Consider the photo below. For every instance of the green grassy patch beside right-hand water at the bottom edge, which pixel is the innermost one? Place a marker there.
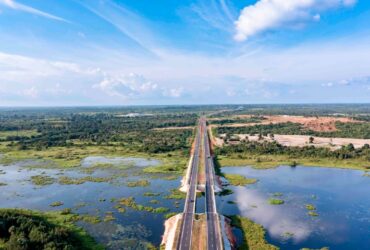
(253, 234)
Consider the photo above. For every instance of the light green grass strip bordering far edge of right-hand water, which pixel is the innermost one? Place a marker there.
(272, 161)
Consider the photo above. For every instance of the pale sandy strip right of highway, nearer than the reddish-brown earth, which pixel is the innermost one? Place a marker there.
(303, 140)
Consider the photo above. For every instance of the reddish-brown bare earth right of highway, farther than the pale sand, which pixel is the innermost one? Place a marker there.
(320, 124)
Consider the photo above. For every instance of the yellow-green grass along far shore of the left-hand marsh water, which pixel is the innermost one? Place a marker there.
(70, 157)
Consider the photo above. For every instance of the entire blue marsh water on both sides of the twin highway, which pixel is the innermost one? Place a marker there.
(340, 197)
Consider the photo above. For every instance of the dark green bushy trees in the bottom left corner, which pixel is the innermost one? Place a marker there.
(28, 230)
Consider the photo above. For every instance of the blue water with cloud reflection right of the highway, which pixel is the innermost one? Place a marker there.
(340, 196)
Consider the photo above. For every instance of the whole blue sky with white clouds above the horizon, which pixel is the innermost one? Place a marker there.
(130, 52)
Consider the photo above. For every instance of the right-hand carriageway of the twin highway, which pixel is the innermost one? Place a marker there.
(214, 238)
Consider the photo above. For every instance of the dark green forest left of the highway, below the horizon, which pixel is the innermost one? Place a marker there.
(136, 133)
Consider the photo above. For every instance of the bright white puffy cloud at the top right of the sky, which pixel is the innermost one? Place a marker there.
(270, 14)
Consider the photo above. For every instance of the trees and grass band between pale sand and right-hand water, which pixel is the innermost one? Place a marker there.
(271, 154)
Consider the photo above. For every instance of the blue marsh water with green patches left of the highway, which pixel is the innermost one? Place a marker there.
(130, 230)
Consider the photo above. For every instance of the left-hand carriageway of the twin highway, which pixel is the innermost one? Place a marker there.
(184, 242)
